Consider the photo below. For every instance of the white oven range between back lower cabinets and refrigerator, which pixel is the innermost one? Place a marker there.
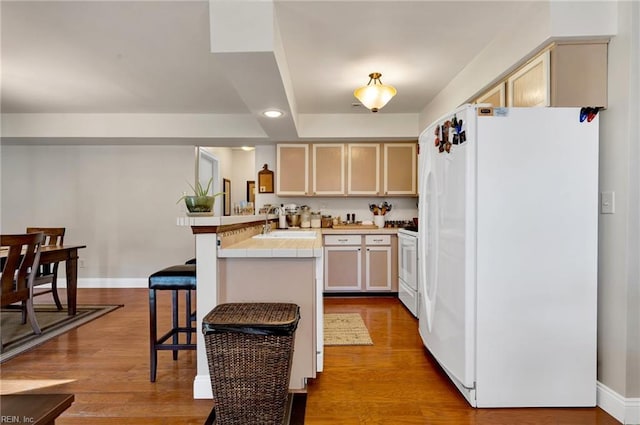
(408, 269)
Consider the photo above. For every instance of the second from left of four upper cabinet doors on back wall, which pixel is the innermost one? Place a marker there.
(328, 169)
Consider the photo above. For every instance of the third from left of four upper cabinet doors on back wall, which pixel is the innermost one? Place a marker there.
(363, 169)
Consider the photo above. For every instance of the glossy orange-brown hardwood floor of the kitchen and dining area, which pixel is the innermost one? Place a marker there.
(395, 381)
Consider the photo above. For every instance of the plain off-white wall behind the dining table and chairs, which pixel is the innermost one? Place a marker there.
(120, 201)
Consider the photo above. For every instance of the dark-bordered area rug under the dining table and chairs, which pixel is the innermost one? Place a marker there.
(18, 338)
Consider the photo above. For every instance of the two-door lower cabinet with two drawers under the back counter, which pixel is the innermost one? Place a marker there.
(360, 263)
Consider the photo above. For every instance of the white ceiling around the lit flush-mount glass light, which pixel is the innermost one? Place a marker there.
(156, 57)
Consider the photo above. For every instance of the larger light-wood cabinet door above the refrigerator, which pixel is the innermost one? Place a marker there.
(530, 86)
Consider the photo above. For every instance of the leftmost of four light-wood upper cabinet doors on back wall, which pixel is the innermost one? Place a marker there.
(292, 170)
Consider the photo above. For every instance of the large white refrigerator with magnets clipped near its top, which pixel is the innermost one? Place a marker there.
(508, 233)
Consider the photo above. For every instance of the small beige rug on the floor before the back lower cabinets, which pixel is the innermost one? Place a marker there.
(345, 329)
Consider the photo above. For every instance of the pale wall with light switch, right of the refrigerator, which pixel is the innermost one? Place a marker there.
(619, 234)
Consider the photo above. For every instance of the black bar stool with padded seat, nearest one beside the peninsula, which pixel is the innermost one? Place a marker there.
(174, 278)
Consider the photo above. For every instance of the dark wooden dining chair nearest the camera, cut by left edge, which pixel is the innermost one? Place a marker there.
(21, 261)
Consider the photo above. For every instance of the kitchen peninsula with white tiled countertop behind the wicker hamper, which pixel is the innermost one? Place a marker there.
(233, 266)
